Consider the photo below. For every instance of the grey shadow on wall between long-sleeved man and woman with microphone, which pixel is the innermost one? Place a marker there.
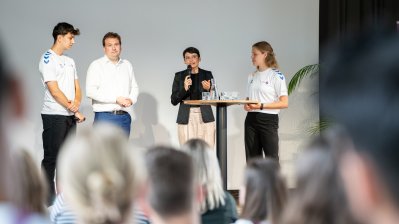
(146, 129)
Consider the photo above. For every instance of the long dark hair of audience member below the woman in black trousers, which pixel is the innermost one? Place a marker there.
(266, 192)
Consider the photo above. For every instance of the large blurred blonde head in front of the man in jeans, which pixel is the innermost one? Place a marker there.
(98, 175)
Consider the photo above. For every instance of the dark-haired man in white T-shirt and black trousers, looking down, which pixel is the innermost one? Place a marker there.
(62, 97)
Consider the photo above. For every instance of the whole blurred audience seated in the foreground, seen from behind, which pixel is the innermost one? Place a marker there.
(346, 175)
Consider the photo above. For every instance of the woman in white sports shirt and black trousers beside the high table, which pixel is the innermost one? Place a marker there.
(267, 86)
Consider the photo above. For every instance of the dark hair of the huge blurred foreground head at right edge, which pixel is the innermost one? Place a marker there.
(359, 89)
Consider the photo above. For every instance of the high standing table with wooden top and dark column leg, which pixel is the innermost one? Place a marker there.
(221, 128)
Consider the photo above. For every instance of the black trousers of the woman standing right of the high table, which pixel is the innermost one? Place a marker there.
(261, 133)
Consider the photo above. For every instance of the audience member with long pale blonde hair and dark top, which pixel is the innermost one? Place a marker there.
(218, 205)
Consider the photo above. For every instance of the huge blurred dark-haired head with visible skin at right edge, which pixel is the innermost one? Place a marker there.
(360, 91)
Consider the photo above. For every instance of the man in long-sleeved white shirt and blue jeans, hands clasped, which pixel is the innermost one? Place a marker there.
(111, 85)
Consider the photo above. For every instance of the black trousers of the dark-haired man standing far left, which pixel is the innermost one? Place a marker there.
(55, 129)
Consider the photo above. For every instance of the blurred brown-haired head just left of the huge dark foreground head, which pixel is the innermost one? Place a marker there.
(319, 196)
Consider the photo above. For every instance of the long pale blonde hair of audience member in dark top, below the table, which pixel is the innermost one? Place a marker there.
(207, 173)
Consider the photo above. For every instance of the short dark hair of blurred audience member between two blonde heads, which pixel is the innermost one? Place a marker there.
(171, 181)
